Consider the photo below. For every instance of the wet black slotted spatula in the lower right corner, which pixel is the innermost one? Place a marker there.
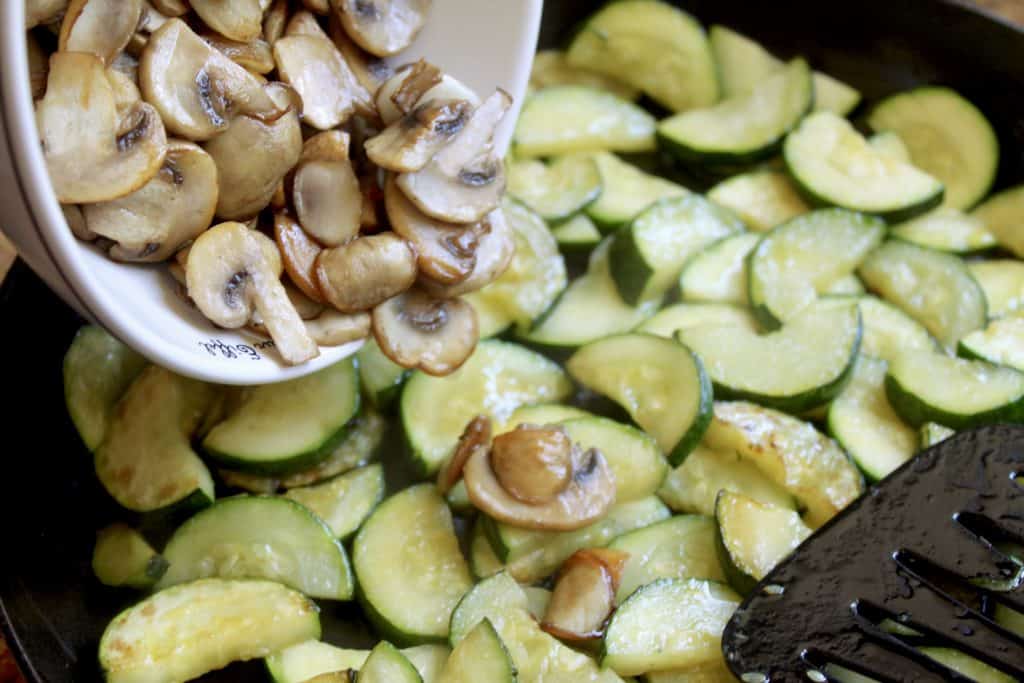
(924, 549)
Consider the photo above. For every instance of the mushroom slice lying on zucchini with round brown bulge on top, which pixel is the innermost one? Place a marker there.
(535, 478)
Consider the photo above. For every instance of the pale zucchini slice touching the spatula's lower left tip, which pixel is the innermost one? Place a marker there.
(670, 624)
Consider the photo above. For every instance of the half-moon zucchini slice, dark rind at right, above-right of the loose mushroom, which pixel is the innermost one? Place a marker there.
(661, 385)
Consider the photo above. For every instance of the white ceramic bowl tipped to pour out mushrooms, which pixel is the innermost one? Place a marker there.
(485, 44)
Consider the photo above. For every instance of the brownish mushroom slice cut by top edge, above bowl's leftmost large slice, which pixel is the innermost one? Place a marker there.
(101, 27)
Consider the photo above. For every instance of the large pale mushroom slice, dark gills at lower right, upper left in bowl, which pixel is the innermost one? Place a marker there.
(197, 90)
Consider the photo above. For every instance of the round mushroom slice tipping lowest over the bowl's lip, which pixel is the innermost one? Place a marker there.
(416, 330)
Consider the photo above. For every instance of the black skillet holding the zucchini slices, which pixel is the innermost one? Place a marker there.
(52, 609)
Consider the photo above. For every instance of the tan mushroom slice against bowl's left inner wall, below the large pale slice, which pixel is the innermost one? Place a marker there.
(170, 211)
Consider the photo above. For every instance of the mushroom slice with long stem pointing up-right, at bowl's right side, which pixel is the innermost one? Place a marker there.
(465, 181)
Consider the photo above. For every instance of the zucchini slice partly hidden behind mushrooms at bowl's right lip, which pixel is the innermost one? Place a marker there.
(533, 282)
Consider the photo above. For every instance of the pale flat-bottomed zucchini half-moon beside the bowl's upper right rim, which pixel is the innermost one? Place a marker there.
(569, 119)
